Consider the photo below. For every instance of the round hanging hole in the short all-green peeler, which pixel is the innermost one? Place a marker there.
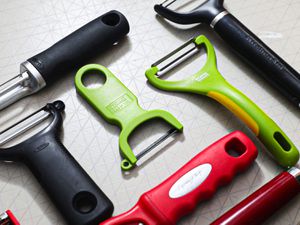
(93, 79)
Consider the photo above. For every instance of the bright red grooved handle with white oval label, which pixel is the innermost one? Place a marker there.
(200, 177)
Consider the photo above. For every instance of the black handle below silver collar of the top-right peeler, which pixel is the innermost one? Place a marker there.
(270, 65)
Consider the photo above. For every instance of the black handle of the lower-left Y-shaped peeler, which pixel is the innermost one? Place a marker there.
(73, 192)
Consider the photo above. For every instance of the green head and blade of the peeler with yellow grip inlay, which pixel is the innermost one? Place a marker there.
(201, 83)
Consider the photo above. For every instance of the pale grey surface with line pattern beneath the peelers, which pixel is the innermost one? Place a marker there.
(29, 26)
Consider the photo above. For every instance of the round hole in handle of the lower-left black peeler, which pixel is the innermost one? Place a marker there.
(84, 202)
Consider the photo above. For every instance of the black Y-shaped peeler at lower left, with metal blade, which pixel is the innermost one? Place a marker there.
(73, 192)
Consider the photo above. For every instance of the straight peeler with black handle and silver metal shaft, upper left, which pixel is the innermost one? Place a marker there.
(65, 56)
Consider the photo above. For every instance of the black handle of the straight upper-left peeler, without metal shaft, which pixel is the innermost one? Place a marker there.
(70, 53)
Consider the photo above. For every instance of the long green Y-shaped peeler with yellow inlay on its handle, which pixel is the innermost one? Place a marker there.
(208, 81)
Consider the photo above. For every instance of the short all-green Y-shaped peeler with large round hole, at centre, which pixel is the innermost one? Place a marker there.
(118, 105)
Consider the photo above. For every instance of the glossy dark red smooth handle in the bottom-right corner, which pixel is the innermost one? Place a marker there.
(263, 203)
